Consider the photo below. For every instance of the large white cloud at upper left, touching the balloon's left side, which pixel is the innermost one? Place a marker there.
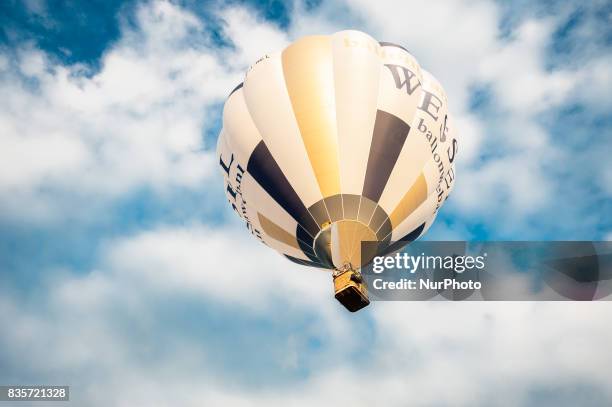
(79, 135)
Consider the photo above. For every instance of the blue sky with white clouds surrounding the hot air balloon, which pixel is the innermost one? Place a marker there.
(124, 273)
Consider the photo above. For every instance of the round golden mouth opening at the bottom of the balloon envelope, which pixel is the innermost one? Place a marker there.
(338, 244)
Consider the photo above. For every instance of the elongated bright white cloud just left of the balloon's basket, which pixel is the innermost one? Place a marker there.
(202, 261)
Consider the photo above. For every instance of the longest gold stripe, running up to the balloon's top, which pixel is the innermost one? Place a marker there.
(309, 77)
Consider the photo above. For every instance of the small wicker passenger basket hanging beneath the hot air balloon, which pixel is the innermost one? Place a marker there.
(350, 289)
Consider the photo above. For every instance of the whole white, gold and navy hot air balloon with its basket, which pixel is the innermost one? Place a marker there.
(335, 141)
